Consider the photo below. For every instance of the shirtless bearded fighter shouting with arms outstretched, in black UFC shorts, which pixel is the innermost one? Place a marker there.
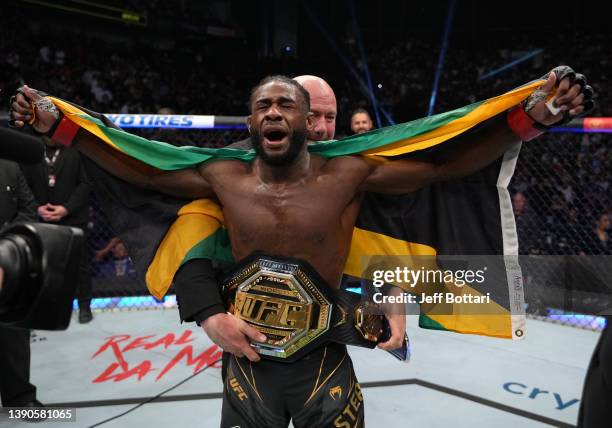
(290, 203)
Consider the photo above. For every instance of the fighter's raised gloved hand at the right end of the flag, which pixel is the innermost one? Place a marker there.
(572, 96)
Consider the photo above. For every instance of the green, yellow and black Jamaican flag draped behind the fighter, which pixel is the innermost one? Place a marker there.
(468, 216)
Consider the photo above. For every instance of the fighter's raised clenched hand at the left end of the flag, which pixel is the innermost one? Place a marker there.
(22, 111)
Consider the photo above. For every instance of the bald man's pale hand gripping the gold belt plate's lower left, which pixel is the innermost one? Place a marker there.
(233, 335)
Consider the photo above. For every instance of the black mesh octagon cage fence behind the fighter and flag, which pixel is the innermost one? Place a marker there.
(561, 198)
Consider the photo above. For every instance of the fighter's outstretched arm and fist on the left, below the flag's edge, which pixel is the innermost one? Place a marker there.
(185, 183)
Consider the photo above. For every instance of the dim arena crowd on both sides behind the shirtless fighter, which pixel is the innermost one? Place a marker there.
(561, 189)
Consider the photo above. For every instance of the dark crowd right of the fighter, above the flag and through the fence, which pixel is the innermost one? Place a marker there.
(561, 190)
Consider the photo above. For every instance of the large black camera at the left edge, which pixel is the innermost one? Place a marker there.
(40, 264)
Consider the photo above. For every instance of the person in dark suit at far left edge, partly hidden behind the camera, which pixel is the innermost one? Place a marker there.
(16, 204)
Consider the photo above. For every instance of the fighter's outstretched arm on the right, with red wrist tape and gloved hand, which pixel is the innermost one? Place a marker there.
(477, 149)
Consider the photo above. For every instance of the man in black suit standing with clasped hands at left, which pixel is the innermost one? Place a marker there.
(62, 191)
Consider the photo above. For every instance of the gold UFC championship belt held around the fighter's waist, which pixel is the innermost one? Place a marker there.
(288, 301)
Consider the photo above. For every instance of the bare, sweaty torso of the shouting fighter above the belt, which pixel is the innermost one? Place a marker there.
(311, 219)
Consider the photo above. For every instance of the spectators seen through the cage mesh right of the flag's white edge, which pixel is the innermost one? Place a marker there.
(562, 196)
